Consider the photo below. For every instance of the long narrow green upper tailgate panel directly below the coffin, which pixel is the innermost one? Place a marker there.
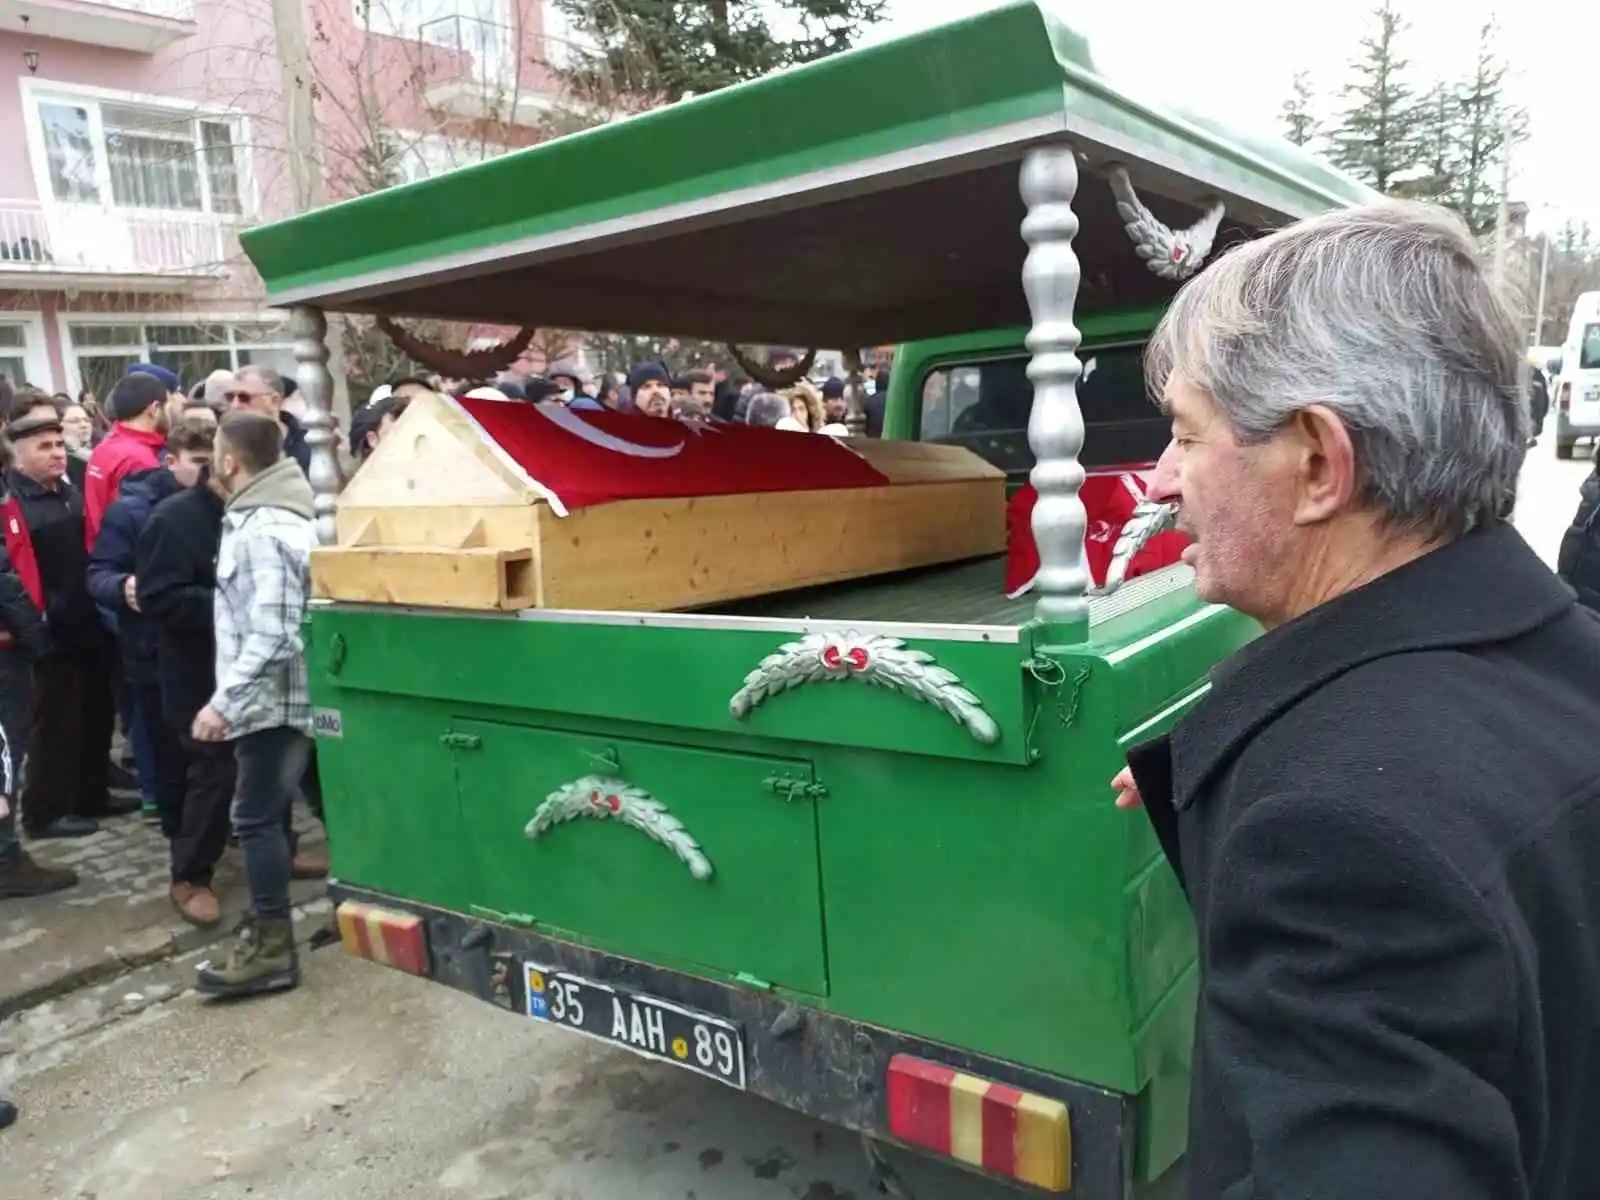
(662, 676)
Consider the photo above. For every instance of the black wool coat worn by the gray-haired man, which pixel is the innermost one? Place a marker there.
(1386, 817)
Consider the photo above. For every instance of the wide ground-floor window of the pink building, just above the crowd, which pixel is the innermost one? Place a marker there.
(105, 350)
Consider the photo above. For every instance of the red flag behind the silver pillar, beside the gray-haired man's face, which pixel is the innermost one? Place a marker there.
(1110, 497)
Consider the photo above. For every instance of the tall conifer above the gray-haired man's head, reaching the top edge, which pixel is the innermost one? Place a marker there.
(1375, 138)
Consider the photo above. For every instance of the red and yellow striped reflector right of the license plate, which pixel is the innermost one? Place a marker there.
(980, 1122)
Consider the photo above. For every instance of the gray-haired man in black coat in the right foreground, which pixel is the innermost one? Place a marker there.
(1386, 810)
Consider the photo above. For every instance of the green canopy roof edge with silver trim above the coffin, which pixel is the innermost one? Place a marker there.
(980, 74)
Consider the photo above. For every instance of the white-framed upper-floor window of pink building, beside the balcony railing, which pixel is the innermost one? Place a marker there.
(140, 158)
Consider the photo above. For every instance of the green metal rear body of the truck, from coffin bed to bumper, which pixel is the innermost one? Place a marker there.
(1004, 908)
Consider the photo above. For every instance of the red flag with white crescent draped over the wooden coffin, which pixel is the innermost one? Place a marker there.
(585, 458)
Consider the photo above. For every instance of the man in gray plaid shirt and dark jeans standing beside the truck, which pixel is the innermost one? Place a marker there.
(262, 703)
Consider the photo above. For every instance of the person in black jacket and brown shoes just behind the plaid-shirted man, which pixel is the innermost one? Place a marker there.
(175, 572)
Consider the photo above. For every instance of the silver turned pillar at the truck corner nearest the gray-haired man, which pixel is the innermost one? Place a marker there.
(1055, 430)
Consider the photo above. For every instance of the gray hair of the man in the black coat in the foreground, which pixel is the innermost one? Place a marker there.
(1385, 316)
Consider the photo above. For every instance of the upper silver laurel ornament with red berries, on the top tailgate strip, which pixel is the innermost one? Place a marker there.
(882, 662)
